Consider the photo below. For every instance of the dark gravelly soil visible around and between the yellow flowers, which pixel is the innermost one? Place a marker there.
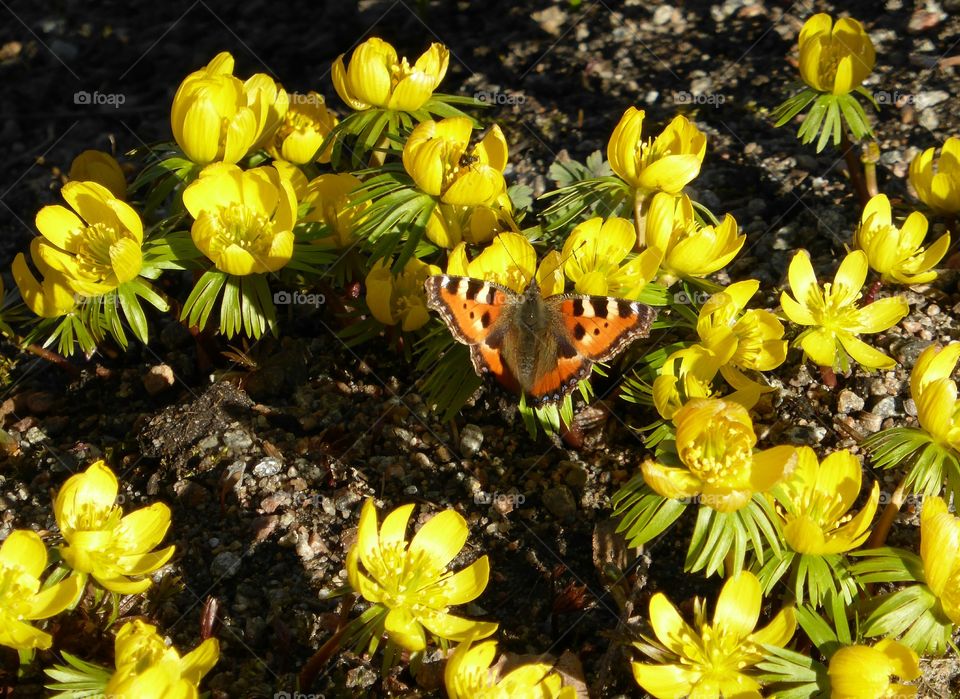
(265, 469)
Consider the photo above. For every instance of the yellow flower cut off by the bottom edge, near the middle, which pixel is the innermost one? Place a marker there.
(468, 675)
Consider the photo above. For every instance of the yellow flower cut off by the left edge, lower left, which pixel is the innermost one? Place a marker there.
(22, 560)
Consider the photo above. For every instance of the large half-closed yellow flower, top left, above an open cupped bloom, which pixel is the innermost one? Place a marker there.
(217, 117)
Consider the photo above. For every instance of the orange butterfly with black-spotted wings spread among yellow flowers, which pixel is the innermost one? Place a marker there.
(539, 345)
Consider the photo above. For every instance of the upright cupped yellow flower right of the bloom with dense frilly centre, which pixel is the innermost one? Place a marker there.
(815, 502)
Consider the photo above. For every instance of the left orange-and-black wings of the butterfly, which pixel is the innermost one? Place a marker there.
(471, 308)
